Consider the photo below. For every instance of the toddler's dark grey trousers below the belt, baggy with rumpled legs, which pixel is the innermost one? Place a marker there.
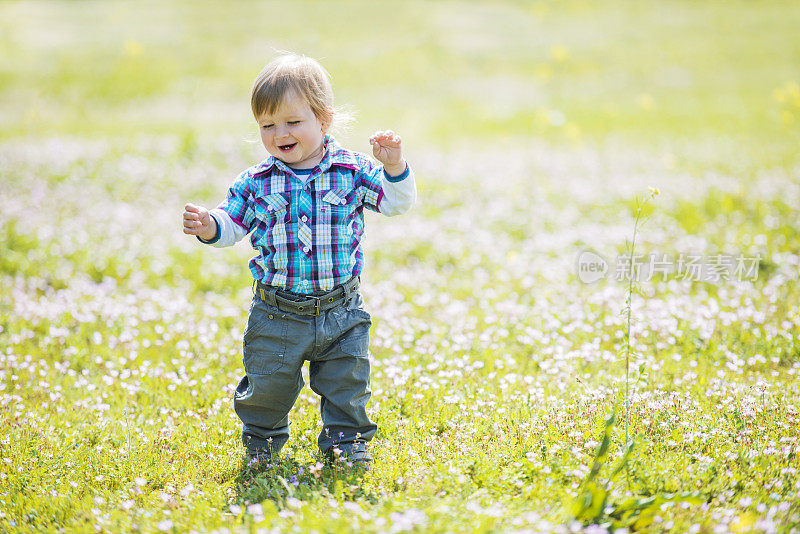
(276, 343)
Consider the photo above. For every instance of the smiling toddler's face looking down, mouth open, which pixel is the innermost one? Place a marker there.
(293, 134)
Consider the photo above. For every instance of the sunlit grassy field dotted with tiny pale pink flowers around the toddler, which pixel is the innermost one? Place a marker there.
(535, 130)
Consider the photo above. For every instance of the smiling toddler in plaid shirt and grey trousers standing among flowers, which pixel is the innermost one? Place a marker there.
(303, 208)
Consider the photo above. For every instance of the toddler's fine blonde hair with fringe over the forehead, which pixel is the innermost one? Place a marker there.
(293, 72)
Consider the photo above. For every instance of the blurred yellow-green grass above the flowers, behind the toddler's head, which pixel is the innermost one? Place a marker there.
(440, 71)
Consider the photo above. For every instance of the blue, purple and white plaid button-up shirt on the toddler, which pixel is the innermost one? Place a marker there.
(307, 234)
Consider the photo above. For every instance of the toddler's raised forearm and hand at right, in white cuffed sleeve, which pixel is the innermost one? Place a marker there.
(392, 189)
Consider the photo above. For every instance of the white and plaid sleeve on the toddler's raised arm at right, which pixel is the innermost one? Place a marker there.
(385, 194)
